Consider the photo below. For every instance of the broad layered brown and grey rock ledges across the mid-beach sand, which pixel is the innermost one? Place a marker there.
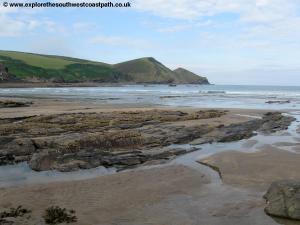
(68, 142)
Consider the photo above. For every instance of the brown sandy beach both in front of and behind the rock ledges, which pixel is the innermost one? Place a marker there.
(168, 193)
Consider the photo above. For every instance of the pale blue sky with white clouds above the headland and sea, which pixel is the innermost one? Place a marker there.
(228, 41)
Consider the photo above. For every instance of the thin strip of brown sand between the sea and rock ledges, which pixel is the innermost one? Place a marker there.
(50, 106)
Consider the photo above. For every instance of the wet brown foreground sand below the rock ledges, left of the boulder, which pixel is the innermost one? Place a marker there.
(172, 195)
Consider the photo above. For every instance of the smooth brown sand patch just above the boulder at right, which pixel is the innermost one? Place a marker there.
(256, 170)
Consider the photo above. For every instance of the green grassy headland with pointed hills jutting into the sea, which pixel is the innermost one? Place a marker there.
(36, 68)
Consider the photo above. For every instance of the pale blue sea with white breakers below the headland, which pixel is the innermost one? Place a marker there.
(204, 96)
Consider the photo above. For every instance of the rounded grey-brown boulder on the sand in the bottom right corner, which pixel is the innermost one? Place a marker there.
(283, 199)
